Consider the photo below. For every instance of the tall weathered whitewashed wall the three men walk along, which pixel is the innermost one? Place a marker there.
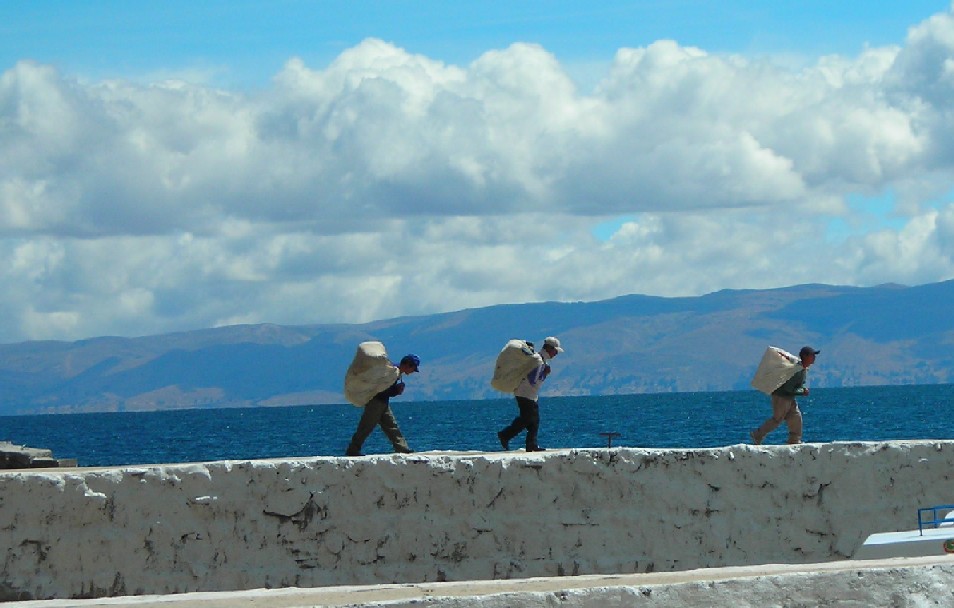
(330, 521)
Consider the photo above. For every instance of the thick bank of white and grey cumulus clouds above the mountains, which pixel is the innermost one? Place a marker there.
(388, 183)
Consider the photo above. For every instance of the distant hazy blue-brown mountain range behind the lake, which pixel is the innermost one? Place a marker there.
(888, 334)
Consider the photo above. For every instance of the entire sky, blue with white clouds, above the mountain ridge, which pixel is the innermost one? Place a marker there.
(168, 166)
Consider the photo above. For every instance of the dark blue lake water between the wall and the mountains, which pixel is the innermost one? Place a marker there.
(657, 420)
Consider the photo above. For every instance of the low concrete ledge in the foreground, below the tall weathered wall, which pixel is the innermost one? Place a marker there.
(920, 581)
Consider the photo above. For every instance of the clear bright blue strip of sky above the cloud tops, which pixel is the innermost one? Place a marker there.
(245, 42)
